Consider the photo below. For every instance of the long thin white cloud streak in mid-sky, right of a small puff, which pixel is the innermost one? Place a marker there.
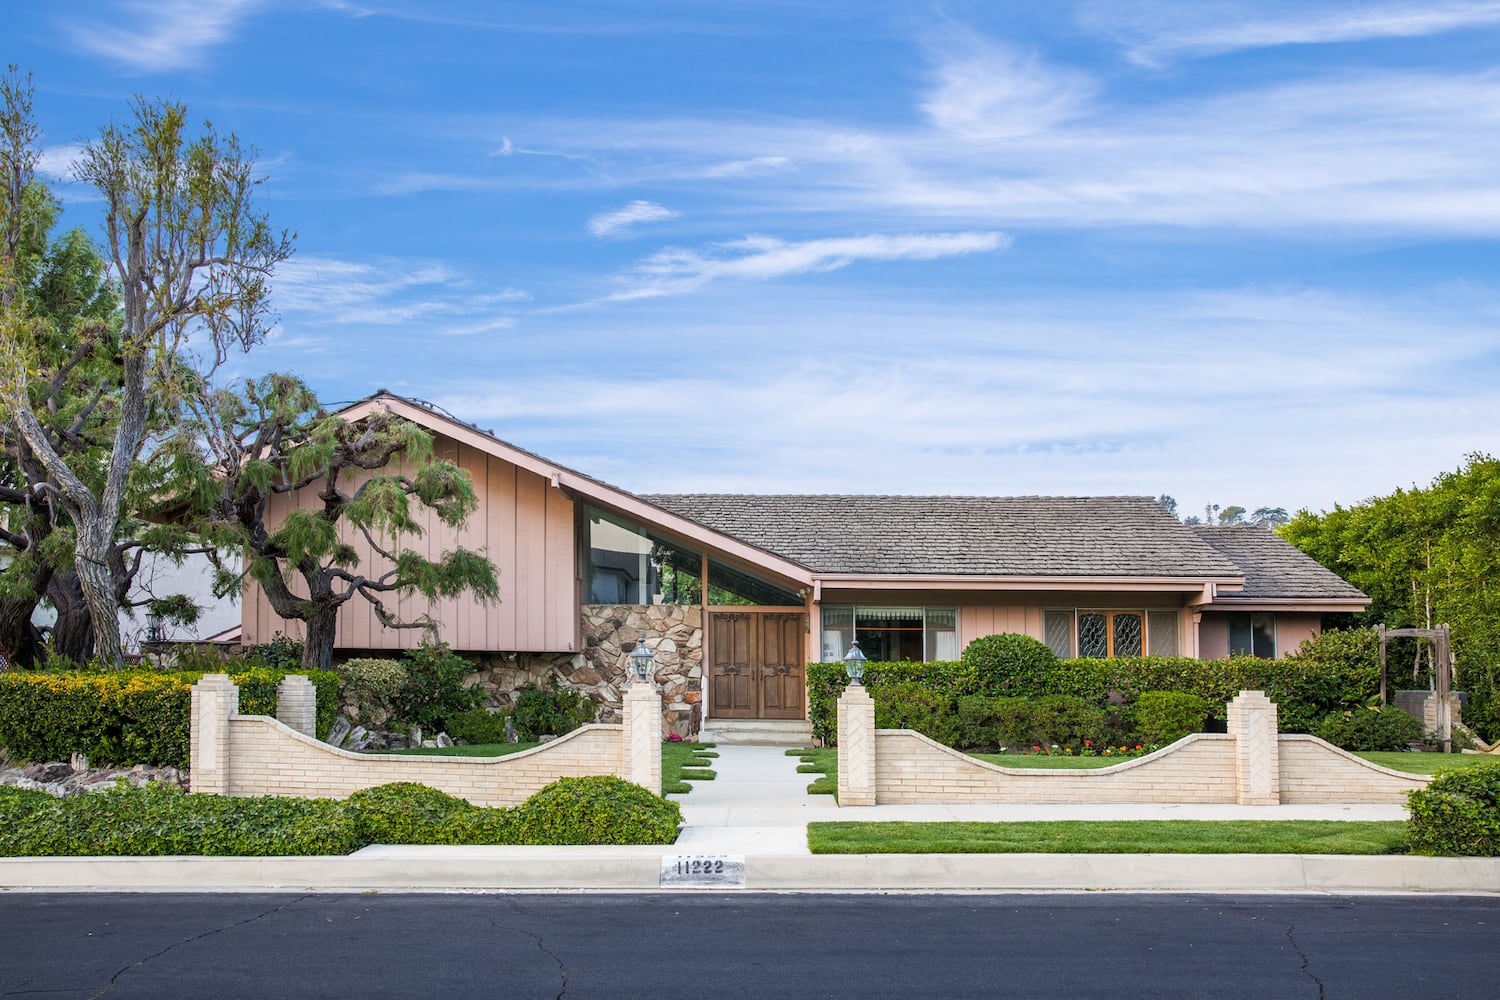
(757, 259)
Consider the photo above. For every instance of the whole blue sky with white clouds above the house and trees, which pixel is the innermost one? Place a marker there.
(1235, 253)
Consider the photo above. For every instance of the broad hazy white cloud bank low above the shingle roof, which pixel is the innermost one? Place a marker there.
(1291, 397)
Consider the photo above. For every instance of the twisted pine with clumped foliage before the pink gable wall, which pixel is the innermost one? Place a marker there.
(272, 439)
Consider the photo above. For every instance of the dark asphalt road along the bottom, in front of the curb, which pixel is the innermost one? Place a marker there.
(746, 945)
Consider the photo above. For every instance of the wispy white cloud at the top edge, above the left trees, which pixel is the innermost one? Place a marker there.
(160, 35)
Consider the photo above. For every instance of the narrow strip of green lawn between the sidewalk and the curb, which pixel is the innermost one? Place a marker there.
(1112, 837)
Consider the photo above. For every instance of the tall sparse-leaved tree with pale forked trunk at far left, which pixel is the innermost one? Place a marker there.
(191, 257)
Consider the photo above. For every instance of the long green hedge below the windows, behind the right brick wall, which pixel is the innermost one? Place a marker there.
(1331, 674)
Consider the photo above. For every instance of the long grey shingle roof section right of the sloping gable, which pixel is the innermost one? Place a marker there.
(961, 536)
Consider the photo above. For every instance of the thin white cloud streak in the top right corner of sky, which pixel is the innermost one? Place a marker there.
(1208, 31)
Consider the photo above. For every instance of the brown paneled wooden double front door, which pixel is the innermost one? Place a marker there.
(757, 665)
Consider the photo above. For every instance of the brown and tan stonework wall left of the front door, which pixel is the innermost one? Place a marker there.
(674, 635)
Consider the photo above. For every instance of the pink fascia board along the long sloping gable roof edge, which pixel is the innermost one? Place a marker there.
(571, 482)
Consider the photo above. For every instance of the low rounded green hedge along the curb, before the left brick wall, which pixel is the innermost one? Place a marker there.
(160, 819)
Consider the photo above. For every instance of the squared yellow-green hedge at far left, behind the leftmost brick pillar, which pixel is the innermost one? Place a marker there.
(128, 717)
